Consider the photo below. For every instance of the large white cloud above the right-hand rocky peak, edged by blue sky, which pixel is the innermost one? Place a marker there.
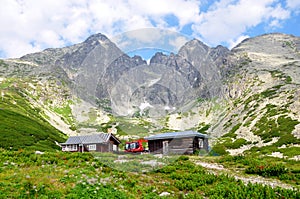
(227, 20)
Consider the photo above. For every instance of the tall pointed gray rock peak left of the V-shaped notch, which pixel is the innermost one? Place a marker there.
(87, 64)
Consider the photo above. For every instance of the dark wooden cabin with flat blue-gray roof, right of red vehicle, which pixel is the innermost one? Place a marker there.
(185, 142)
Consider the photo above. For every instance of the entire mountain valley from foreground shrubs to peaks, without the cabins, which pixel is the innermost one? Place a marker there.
(247, 100)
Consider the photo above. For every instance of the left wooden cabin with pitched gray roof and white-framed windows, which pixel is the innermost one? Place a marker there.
(100, 142)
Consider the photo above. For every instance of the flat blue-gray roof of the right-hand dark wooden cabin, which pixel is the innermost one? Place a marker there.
(172, 135)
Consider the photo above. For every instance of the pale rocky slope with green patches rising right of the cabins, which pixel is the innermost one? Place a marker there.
(263, 110)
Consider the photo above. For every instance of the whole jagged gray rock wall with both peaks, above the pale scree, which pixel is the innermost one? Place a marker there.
(94, 69)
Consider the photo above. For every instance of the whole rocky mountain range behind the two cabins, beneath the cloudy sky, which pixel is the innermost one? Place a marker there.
(247, 98)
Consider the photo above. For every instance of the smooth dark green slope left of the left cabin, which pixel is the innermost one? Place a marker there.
(22, 125)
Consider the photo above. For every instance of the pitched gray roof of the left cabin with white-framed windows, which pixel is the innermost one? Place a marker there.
(88, 139)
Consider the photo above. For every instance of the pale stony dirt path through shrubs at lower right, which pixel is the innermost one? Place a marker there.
(219, 169)
